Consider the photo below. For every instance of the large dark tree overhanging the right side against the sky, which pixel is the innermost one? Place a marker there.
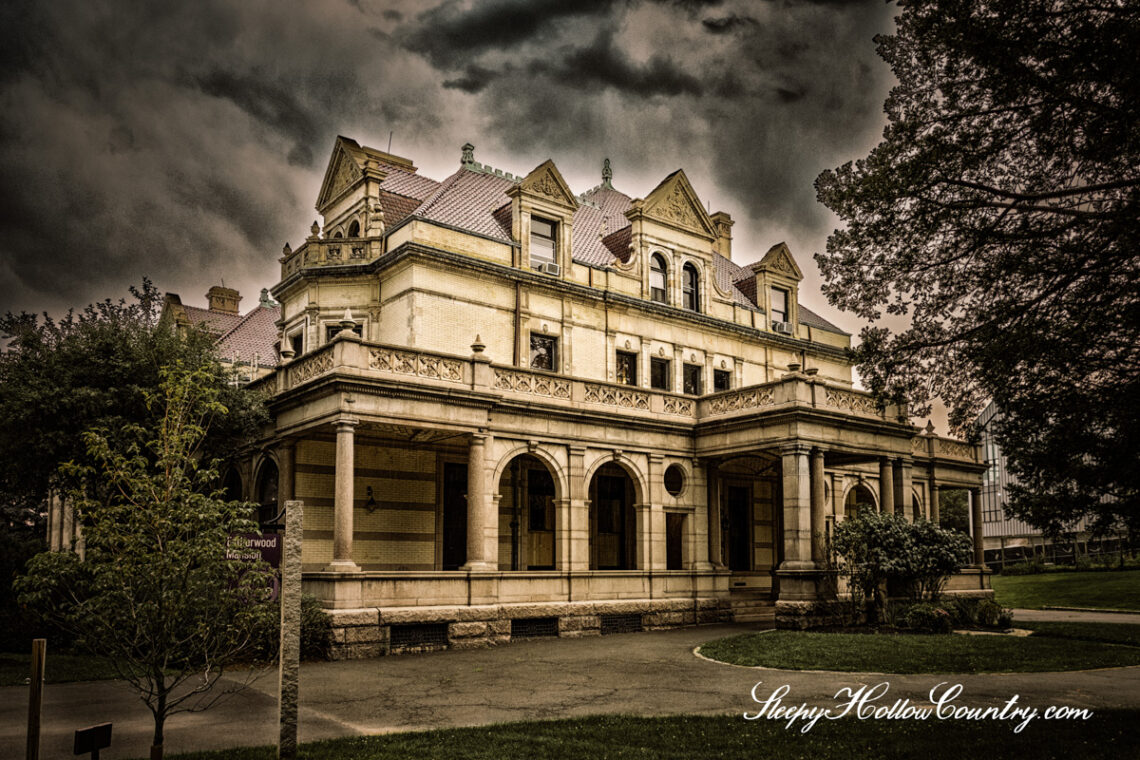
(1000, 217)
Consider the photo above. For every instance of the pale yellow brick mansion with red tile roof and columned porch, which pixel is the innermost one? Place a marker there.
(515, 411)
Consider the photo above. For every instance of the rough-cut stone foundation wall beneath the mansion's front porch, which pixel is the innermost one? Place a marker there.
(368, 633)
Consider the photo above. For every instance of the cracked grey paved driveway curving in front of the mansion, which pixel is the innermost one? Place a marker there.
(653, 674)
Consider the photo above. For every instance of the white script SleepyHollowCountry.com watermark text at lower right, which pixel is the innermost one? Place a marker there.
(870, 704)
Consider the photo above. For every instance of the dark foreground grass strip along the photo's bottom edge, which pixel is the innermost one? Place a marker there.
(1106, 736)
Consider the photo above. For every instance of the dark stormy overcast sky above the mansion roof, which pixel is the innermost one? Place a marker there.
(186, 142)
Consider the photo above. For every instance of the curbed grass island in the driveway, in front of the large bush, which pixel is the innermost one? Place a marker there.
(910, 653)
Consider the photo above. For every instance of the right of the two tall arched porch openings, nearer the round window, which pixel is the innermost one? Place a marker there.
(613, 522)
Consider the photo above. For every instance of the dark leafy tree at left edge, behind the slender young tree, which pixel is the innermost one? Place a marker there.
(94, 370)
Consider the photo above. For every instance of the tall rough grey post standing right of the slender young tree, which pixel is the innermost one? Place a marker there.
(290, 661)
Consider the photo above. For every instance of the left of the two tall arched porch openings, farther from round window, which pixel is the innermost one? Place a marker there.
(527, 516)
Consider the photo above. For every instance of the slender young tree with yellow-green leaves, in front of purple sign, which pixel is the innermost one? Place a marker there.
(157, 593)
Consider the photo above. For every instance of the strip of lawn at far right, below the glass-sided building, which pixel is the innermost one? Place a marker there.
(1073, 590)
